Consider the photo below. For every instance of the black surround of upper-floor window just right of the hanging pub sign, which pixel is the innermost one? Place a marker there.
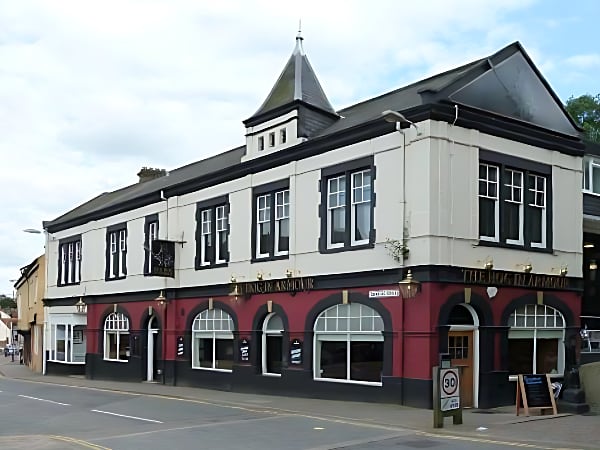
(202, 260)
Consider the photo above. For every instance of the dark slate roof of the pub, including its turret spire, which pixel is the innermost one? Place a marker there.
(434, 90)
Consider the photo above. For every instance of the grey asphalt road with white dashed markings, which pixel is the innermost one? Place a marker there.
(48, 416)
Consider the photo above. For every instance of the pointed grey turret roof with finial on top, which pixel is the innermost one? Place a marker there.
(297, 82)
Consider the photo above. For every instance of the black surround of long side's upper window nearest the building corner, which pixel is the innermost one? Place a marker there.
(346, 170)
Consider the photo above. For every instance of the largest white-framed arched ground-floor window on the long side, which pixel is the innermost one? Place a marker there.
(348, 343)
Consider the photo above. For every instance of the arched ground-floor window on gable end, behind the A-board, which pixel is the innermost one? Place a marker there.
(536, 340)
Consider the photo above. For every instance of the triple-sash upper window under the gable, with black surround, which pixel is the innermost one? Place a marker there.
(514, 198)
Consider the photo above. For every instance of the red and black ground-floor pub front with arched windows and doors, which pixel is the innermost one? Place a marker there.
(362, 343)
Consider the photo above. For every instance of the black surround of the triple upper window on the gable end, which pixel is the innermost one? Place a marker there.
(507, 165)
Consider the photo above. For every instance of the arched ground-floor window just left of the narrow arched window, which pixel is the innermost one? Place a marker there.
(212, 340)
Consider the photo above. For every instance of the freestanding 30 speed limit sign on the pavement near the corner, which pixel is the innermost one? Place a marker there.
(446, 393)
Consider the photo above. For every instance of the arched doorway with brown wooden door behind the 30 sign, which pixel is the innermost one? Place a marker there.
(463, 347)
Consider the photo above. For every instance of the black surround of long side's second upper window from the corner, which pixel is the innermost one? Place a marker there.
(270, 190)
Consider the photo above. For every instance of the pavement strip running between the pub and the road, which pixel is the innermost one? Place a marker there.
(564, 431)
